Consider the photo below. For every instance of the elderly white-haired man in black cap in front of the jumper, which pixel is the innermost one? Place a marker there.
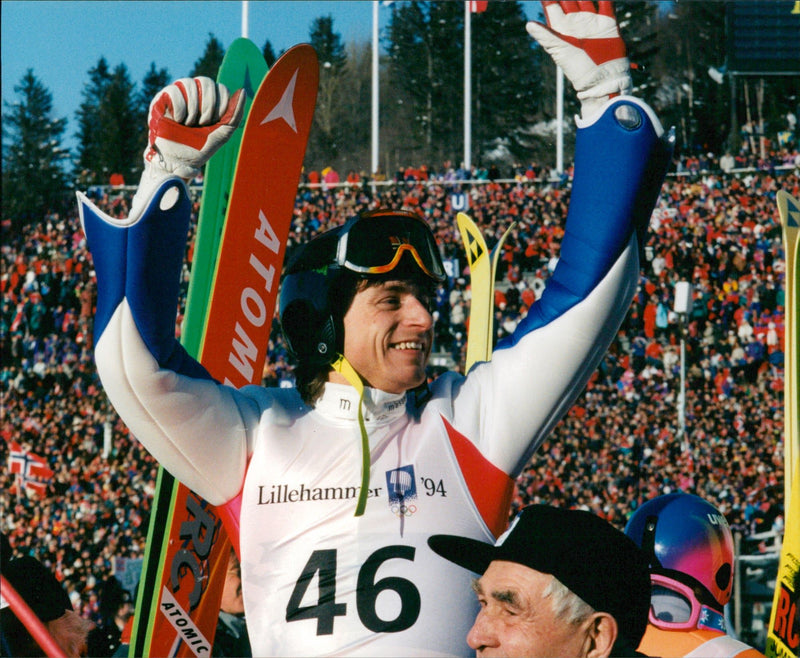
(557, 583)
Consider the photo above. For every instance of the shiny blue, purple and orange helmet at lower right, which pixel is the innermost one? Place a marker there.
(687, 540)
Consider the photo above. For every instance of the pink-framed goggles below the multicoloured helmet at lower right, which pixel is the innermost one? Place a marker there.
(674, 607)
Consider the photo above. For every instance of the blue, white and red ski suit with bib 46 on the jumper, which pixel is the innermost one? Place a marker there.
(316, 579)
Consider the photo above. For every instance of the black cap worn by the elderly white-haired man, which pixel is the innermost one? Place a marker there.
(587, 554)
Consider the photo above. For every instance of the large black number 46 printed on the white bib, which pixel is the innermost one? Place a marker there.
(322, 564)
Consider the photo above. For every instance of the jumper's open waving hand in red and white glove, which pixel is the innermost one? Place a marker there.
(584, 40)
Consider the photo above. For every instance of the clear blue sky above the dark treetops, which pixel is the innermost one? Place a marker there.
(62, 39)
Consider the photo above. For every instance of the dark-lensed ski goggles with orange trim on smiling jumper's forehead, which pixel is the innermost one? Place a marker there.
(375, 243)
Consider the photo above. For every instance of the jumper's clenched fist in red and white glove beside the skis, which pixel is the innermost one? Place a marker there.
(188, 122)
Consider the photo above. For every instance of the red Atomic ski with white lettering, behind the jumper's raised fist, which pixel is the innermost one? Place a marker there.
(234, 346)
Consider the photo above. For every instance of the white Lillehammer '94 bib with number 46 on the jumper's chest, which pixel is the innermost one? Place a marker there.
(317, 579)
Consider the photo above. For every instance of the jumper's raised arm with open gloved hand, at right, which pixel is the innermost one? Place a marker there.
(621, 155)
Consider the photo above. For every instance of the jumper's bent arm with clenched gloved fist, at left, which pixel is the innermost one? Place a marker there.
(164, 396)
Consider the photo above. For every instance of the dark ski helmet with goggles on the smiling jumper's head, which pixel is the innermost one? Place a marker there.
(374, 244)
